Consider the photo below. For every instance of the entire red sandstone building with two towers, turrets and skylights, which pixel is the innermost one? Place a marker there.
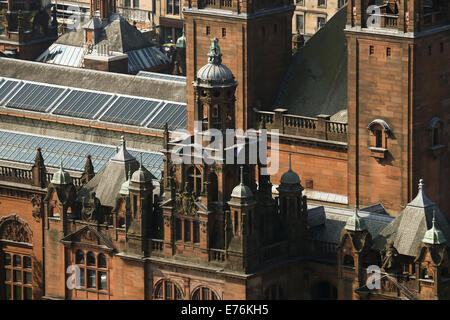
(364, 121)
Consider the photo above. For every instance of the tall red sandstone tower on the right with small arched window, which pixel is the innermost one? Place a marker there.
(398, 97)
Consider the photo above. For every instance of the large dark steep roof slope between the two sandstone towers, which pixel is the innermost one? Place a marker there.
(316, 81)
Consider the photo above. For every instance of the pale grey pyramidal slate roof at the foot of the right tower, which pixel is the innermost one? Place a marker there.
(407, 230)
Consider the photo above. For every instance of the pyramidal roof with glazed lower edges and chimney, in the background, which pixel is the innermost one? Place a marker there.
(106, 42)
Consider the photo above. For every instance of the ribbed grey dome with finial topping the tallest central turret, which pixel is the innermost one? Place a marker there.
(215, 74)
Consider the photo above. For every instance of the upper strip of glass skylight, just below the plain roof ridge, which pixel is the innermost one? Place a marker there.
(86, 104)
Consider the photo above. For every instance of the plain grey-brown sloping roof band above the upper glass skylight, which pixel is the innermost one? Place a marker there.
(93, 80)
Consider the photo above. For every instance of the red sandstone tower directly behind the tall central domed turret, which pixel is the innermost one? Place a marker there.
(255, 38)
